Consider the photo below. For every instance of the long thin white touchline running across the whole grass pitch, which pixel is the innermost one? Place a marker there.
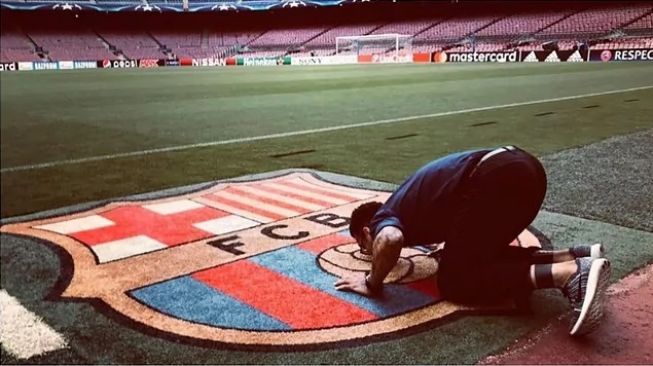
(305, 132)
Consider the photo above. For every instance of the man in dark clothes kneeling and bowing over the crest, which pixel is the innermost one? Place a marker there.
(477, 202)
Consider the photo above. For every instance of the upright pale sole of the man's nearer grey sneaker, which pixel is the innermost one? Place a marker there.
(592, 309)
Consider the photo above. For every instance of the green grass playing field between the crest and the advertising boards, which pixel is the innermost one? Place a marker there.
(56, 116)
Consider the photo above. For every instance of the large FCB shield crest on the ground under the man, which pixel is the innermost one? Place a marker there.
(242, 263)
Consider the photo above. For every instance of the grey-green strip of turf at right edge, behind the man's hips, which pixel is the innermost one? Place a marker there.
(608, 181)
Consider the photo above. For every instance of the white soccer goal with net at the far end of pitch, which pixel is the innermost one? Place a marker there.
(382, 47)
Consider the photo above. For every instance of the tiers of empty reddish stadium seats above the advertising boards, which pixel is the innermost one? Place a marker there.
(112, 36)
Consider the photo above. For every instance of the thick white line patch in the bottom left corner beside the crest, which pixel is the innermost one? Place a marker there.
(22, 333)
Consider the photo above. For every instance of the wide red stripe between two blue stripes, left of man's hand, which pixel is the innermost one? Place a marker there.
(296, 304)
